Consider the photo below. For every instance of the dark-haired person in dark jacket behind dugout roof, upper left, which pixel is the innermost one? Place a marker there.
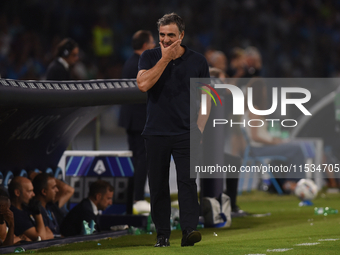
(67, 55)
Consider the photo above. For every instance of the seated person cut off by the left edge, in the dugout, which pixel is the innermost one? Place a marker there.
(6, 216)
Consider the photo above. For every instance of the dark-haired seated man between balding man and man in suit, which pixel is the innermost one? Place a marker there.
(45, 189)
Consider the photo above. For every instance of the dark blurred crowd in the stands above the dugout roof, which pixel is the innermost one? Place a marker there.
(295, 38)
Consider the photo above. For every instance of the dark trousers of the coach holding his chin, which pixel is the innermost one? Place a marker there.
(159, 150)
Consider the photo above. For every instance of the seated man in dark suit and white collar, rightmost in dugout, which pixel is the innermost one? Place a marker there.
(100, 197)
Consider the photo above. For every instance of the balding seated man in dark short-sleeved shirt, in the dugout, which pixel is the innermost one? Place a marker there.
(27, 216)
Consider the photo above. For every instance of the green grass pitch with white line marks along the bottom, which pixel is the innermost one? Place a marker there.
(288, 227)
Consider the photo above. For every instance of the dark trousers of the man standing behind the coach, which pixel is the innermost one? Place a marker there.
(136, 145)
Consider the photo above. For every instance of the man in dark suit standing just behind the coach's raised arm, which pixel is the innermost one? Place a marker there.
(132, 118)
